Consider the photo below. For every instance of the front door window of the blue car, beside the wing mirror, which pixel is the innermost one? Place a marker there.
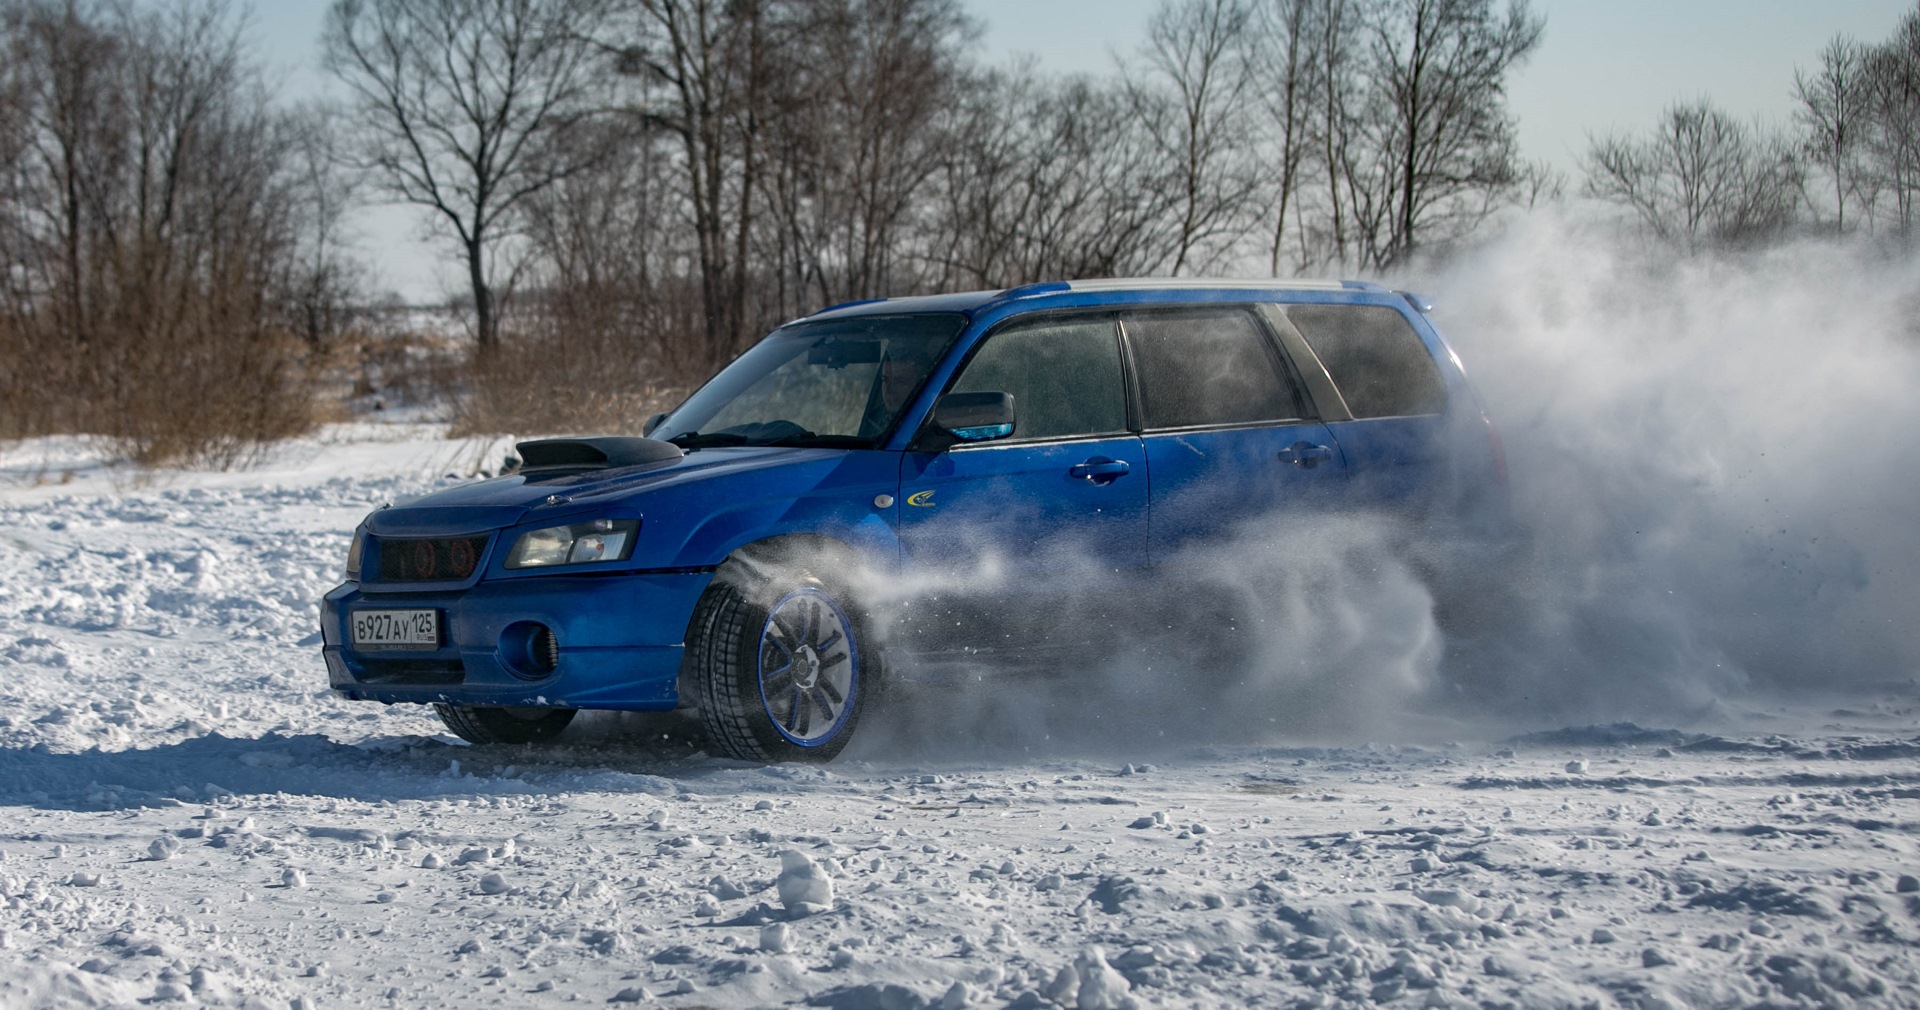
(1065, 375)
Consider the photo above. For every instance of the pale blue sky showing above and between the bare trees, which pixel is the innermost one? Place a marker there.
(1604, 66)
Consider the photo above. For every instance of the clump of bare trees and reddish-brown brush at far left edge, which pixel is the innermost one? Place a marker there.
(147, 228)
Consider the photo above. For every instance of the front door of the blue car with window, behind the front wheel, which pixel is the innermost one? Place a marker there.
(1001, 535)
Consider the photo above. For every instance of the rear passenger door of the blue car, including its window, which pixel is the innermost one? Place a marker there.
(1228, 433)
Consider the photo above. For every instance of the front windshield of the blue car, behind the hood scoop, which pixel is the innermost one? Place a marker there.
(832, 383)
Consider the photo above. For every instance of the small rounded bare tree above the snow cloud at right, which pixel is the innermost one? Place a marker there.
(1700, 180)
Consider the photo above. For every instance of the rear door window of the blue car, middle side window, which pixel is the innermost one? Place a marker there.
(1209, 368)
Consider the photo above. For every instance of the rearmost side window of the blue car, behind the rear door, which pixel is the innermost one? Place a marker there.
(1376, 358)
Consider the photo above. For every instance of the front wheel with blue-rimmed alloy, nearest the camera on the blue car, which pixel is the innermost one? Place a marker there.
(780, 665)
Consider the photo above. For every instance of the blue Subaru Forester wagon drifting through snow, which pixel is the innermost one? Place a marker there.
(819, 516)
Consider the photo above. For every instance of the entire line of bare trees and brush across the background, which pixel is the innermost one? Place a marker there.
(636, 189)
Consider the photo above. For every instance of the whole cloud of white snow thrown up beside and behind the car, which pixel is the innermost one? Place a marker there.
(1716, 460)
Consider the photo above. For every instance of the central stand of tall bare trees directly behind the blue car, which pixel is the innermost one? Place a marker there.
(656, 183)
